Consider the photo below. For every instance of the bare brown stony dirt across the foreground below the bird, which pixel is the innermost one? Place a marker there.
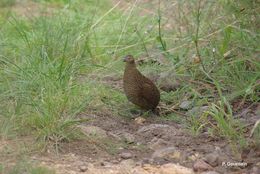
(142, 145)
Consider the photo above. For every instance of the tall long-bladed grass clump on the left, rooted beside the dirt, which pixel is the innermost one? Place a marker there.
(40, 82)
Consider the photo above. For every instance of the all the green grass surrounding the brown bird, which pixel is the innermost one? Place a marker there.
(51, 65)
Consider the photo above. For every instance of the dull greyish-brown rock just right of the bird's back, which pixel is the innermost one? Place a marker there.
(168, 81)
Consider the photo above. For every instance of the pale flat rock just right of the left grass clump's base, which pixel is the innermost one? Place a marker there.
(93, 131)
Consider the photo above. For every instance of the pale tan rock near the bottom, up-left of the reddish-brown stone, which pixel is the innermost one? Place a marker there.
(166, 152)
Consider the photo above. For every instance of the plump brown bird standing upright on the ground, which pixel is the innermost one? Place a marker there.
(139, 89)
